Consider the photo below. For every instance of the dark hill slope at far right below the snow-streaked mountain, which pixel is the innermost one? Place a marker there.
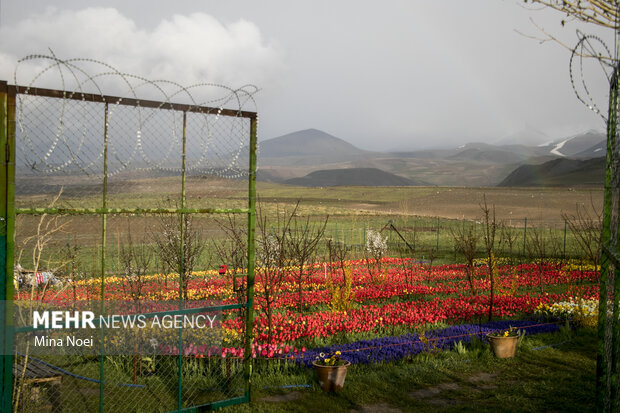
(559, 172)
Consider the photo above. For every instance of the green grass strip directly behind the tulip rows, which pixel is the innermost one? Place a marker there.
(423, 233)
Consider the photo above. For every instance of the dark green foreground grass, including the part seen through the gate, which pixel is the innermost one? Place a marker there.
(551, 372)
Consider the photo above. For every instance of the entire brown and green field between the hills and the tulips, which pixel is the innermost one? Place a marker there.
(426, 217)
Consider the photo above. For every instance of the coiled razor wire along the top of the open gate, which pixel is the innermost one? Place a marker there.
(216, 143)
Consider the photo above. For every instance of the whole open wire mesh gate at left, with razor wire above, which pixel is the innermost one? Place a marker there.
(128, 199)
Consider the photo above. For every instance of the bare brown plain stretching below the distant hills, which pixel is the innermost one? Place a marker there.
(541, 206)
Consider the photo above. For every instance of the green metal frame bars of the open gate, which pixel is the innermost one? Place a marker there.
(8, 213)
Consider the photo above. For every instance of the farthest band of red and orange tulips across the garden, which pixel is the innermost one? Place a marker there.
(398, 278)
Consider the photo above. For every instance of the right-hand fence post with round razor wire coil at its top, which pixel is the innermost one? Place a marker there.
(592, 49)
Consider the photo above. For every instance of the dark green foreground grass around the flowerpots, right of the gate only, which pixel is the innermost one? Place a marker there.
(557, 378)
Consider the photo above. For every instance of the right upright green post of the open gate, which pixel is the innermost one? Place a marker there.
(249, 321)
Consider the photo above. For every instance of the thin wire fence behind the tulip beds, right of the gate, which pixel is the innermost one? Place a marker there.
(525, 238)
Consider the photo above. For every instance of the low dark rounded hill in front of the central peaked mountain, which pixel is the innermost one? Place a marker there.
(351, 177)
